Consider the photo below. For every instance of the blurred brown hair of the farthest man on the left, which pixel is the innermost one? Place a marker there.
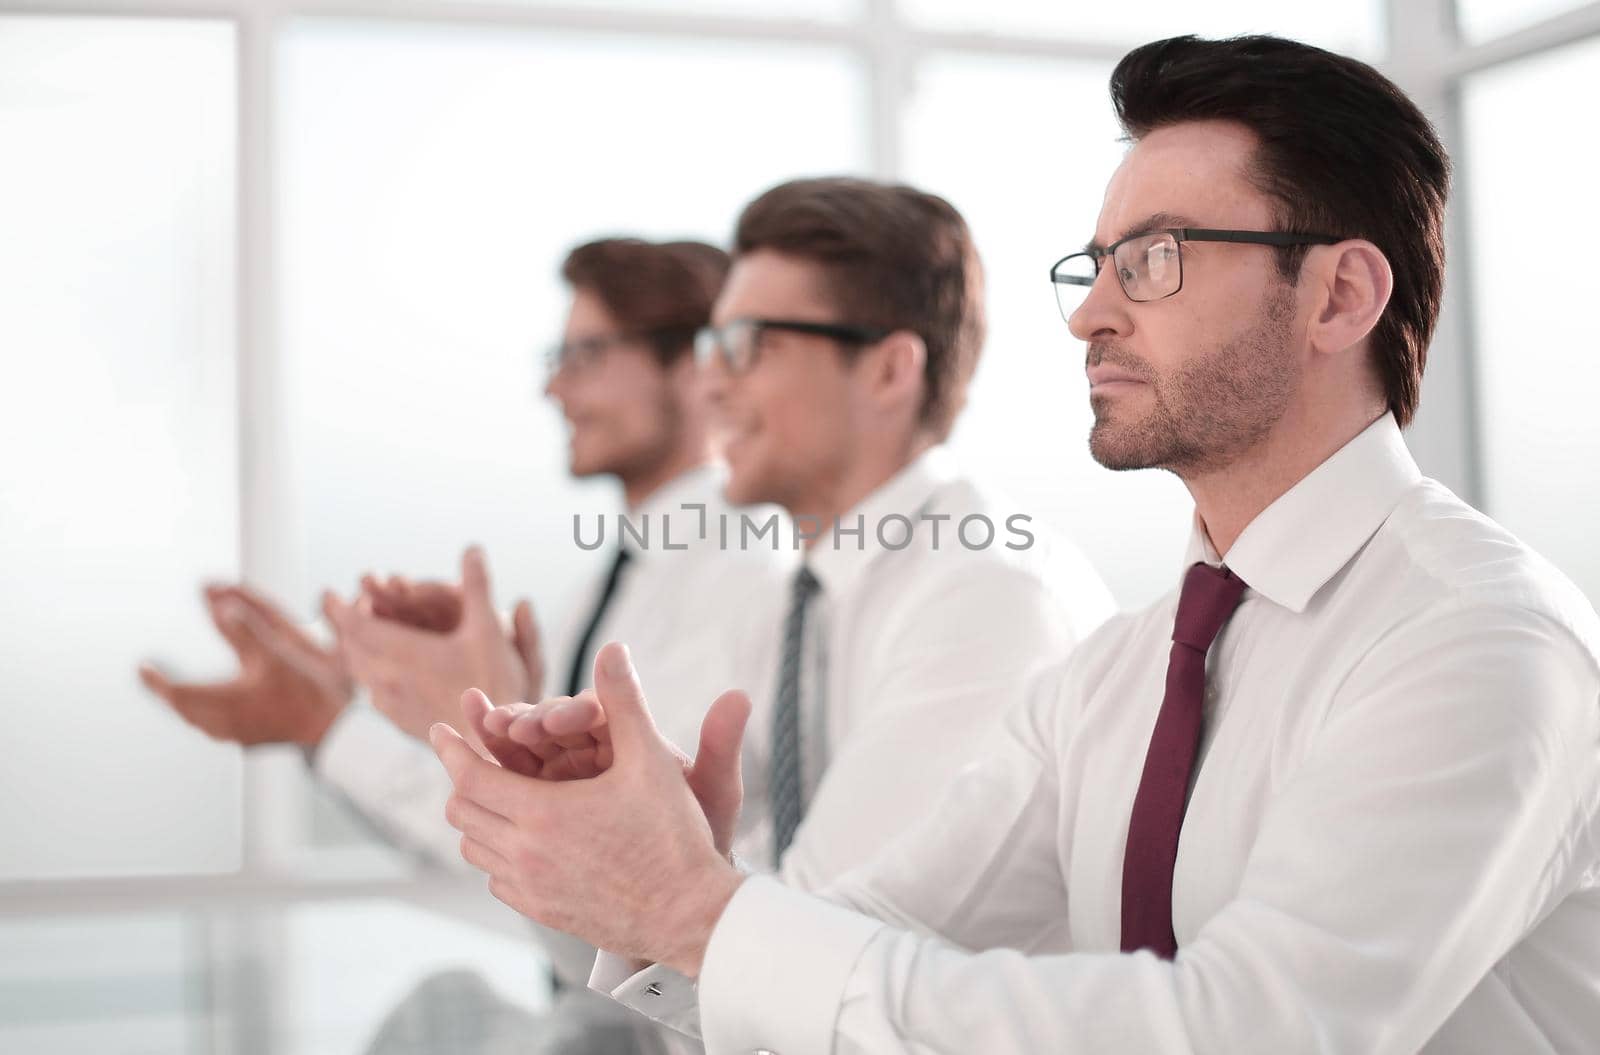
(658, 289)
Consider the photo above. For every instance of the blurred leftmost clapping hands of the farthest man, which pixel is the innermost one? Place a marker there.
(289, 689)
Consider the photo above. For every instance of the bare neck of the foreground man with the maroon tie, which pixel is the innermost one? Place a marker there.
(1230, 499)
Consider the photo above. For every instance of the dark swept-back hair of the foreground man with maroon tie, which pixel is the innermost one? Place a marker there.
(1340, 150)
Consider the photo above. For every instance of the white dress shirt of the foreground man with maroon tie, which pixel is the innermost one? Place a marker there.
(1391, 844)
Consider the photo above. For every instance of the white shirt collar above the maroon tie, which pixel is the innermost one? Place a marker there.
(1302, 540)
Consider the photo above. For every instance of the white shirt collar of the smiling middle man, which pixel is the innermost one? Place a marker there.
(839, 560)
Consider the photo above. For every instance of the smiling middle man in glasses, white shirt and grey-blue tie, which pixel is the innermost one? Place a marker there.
(846, 340)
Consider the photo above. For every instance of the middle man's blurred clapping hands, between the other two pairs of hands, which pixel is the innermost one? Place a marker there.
(417, 676)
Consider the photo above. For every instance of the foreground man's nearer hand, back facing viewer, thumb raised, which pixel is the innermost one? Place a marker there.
(625, 860)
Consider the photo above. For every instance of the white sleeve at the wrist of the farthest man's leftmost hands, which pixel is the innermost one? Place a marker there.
(393, 782)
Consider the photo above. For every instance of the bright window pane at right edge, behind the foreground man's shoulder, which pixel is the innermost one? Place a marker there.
(1529, 172)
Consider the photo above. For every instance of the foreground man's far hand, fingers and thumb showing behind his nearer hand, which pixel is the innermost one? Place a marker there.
(569, 739)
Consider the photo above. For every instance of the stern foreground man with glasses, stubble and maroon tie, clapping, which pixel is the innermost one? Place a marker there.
(1340, 792)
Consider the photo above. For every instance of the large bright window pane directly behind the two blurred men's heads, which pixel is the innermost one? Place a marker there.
(433, 182)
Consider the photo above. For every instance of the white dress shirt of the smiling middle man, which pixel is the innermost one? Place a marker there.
(919, 652)
